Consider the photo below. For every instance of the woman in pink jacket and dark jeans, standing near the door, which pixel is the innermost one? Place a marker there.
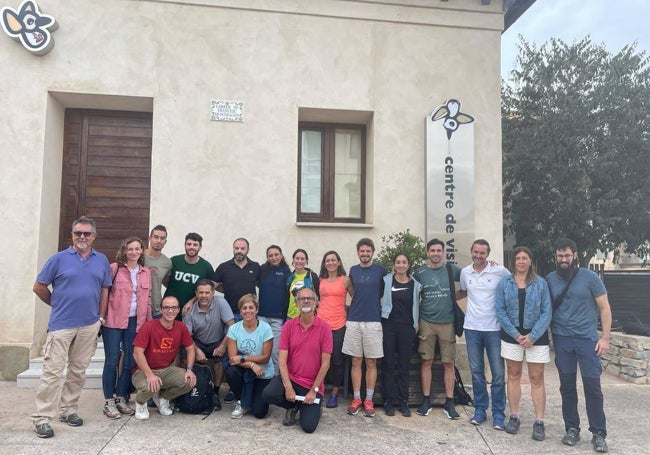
(129, 306)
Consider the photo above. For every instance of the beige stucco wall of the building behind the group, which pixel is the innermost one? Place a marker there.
(397, 60)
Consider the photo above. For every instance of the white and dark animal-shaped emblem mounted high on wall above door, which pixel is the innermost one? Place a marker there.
(29, 26)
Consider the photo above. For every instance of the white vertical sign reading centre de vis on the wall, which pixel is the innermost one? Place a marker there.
(450, 180)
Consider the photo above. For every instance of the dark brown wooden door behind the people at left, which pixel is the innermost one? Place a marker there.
(106, 175)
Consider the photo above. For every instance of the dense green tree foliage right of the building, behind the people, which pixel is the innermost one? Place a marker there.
(575, 148)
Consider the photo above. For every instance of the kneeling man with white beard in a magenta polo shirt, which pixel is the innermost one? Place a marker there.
(305, 351)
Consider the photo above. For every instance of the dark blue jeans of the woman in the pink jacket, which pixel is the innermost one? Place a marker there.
(114, 339)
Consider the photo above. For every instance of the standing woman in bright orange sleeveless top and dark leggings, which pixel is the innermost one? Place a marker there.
(334, 287)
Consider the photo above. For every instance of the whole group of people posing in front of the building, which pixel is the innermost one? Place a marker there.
(281, 335)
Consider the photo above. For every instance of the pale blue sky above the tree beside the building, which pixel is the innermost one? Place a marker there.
(614, 23)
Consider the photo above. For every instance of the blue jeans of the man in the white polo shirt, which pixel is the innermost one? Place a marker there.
(478, 343)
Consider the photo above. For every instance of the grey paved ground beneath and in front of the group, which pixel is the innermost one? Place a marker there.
(626, 409)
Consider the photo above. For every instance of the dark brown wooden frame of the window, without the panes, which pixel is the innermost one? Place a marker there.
(327, 196)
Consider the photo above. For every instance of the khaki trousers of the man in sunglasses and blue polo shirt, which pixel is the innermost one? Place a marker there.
(67, 354)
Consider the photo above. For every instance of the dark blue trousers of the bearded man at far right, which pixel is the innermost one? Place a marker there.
(569, 353)
